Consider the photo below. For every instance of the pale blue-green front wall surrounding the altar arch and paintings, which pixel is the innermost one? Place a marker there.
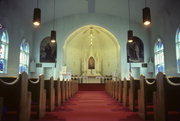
(117, 26)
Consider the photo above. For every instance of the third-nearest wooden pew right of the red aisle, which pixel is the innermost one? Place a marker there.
(133, 93)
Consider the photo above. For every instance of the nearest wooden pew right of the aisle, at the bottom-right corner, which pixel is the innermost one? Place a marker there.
(166, 97)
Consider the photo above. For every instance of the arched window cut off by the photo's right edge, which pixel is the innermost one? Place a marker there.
(178, 49)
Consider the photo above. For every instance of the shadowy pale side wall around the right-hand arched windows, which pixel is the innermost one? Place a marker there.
(164, 27)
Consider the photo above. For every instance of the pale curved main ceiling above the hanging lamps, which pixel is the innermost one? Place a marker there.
(70, 7)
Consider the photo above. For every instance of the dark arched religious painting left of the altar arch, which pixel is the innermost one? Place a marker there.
(48, 51)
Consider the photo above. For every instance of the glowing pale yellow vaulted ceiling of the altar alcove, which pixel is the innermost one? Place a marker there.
(92, 36)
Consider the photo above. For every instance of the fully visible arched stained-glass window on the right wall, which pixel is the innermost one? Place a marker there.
(159, 57)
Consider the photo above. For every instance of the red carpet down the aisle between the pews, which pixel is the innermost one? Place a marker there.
(91, 106)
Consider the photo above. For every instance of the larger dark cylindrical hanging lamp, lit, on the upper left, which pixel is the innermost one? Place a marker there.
(37, 15)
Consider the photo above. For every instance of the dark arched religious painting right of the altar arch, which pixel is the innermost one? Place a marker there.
(135, 51)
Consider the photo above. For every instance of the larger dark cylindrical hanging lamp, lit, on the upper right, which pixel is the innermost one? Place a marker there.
(146, 15)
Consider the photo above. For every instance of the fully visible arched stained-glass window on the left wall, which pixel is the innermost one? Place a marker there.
(24, 56)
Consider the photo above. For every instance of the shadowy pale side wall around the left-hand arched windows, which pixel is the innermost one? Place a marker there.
(18, 29)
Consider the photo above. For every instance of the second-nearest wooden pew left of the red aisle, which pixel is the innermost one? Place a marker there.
(36, 87)
